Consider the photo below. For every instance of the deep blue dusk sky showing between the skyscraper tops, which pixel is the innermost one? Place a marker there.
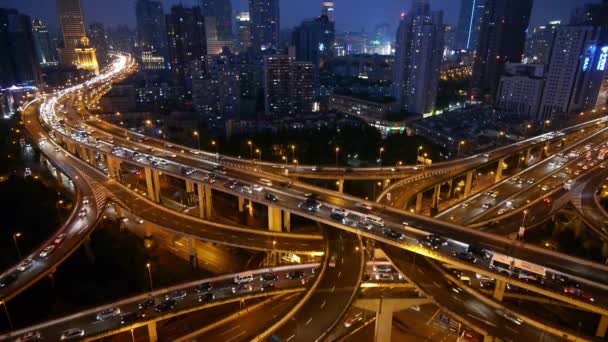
(350, 14)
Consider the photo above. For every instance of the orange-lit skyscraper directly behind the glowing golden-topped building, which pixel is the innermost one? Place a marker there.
(73, 29)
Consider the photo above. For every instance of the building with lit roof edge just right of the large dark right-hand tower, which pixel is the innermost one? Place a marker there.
(540, 43)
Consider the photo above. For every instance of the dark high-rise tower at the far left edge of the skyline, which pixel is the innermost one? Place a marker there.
(18, 61)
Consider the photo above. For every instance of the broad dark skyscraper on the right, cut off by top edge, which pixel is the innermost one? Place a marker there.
(501, 39)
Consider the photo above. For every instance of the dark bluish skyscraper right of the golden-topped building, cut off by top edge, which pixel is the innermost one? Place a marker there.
(151, 34)
